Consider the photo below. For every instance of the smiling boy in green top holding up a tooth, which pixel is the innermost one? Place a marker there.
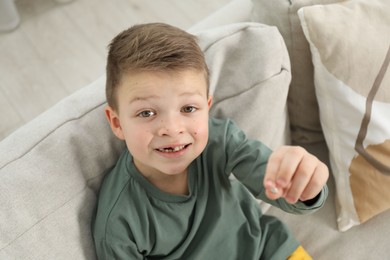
(170, 196)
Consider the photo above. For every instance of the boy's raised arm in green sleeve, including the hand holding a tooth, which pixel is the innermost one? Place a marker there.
(260, 169)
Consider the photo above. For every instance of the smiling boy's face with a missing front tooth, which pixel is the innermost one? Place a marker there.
(163, 118)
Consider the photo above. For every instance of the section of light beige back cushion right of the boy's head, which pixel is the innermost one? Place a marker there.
(250, 75)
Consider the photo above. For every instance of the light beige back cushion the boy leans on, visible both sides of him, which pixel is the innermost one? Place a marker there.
(51, 169)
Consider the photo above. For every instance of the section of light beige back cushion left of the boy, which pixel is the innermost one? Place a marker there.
(50, 171)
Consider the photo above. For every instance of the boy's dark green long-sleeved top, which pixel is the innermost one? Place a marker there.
(219, 219)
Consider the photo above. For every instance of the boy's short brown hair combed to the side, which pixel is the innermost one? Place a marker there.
(151, 47)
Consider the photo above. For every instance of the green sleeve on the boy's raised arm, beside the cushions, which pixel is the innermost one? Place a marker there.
(247, 160)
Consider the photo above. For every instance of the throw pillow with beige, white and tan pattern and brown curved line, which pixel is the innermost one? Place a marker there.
(349, 42)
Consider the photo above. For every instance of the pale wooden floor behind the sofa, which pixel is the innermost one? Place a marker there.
(59, 48)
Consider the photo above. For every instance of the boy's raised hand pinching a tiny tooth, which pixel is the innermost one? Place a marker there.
(294, 174)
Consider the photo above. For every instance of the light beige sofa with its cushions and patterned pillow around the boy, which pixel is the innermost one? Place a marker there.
(288, 72)
